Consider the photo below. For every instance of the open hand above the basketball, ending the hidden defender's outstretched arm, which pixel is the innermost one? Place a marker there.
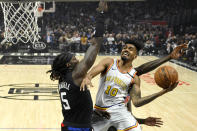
(178, 51)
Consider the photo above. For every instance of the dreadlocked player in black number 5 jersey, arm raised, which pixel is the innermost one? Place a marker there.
(77, 106)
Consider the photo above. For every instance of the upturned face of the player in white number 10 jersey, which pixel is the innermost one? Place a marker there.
(129, 52)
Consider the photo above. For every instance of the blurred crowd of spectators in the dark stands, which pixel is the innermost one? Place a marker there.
(71, 27)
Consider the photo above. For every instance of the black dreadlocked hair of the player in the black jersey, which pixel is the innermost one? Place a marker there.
(58, 67)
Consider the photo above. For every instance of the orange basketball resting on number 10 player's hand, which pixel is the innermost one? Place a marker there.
(165, 75)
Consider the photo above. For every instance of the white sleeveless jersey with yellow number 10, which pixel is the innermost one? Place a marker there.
(114, 86)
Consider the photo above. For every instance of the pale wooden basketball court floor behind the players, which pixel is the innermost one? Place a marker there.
(29, 99)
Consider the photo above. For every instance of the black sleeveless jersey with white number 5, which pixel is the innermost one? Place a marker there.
(77, 105)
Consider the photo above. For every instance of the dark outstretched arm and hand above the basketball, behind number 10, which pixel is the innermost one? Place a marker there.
(149, 66)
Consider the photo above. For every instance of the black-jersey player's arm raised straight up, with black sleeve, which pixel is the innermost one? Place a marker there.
(84, 65)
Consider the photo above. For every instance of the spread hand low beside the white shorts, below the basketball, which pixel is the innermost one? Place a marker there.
(153, 121)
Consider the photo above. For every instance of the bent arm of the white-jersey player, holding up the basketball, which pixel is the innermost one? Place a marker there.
(135, 93)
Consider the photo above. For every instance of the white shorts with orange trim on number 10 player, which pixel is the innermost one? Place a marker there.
(121, 118)
